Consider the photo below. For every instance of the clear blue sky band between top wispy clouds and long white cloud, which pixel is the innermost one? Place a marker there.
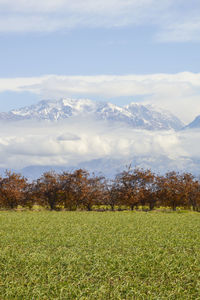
(95, 51)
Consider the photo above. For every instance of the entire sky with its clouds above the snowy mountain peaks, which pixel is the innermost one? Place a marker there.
(98, 37)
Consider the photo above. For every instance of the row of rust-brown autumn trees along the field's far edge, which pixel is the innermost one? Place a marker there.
(80, 190)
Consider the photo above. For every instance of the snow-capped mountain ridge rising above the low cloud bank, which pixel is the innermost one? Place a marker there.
(135, 115)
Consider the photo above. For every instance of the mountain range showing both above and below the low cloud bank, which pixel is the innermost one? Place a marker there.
(134, 115)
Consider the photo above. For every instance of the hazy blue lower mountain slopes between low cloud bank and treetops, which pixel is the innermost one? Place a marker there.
(110, 167)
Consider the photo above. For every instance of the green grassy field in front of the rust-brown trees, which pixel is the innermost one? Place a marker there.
(93, 255)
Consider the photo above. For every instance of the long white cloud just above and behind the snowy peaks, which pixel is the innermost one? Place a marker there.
(179, 93)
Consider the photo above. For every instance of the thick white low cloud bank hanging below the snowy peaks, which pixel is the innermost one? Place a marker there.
(70, 143)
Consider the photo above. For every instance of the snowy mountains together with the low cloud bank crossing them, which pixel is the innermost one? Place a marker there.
(99, 136)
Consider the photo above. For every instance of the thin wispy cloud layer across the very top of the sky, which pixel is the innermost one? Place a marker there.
(173, 20)
